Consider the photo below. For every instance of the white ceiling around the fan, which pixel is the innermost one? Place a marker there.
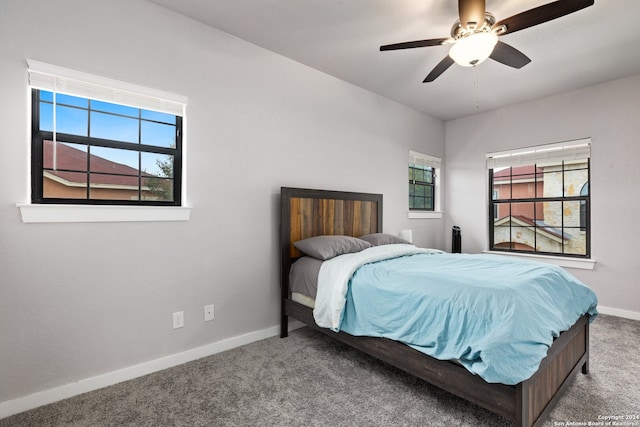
(342, 38)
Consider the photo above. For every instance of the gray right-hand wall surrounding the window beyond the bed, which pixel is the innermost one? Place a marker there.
(607, 113)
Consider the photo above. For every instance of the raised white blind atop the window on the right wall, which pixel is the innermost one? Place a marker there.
(549, 153)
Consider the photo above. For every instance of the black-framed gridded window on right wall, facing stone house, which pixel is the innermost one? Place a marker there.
(539, 200)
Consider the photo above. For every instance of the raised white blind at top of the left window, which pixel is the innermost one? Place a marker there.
(71, 82)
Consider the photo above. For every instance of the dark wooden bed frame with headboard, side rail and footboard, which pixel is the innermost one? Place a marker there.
(307, 213)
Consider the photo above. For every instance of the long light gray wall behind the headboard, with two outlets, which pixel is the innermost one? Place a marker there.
(79, 300)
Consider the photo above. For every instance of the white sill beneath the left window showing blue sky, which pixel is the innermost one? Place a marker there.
(32, 213)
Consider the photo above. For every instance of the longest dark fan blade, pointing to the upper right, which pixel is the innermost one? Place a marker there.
(541, 14)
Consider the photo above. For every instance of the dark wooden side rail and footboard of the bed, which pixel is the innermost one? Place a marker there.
(527, 403)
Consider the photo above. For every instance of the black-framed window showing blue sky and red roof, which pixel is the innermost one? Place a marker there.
(88, 148)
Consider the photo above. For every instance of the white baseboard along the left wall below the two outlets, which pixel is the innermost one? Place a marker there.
(21, 404)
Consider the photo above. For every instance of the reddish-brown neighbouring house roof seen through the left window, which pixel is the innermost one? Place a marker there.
(103, 172)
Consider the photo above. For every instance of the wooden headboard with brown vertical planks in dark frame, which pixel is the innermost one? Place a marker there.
(307, 213)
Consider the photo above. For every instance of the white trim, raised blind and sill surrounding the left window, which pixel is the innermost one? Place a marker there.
(51, 77)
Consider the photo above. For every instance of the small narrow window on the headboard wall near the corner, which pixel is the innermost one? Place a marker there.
(423, 181)
